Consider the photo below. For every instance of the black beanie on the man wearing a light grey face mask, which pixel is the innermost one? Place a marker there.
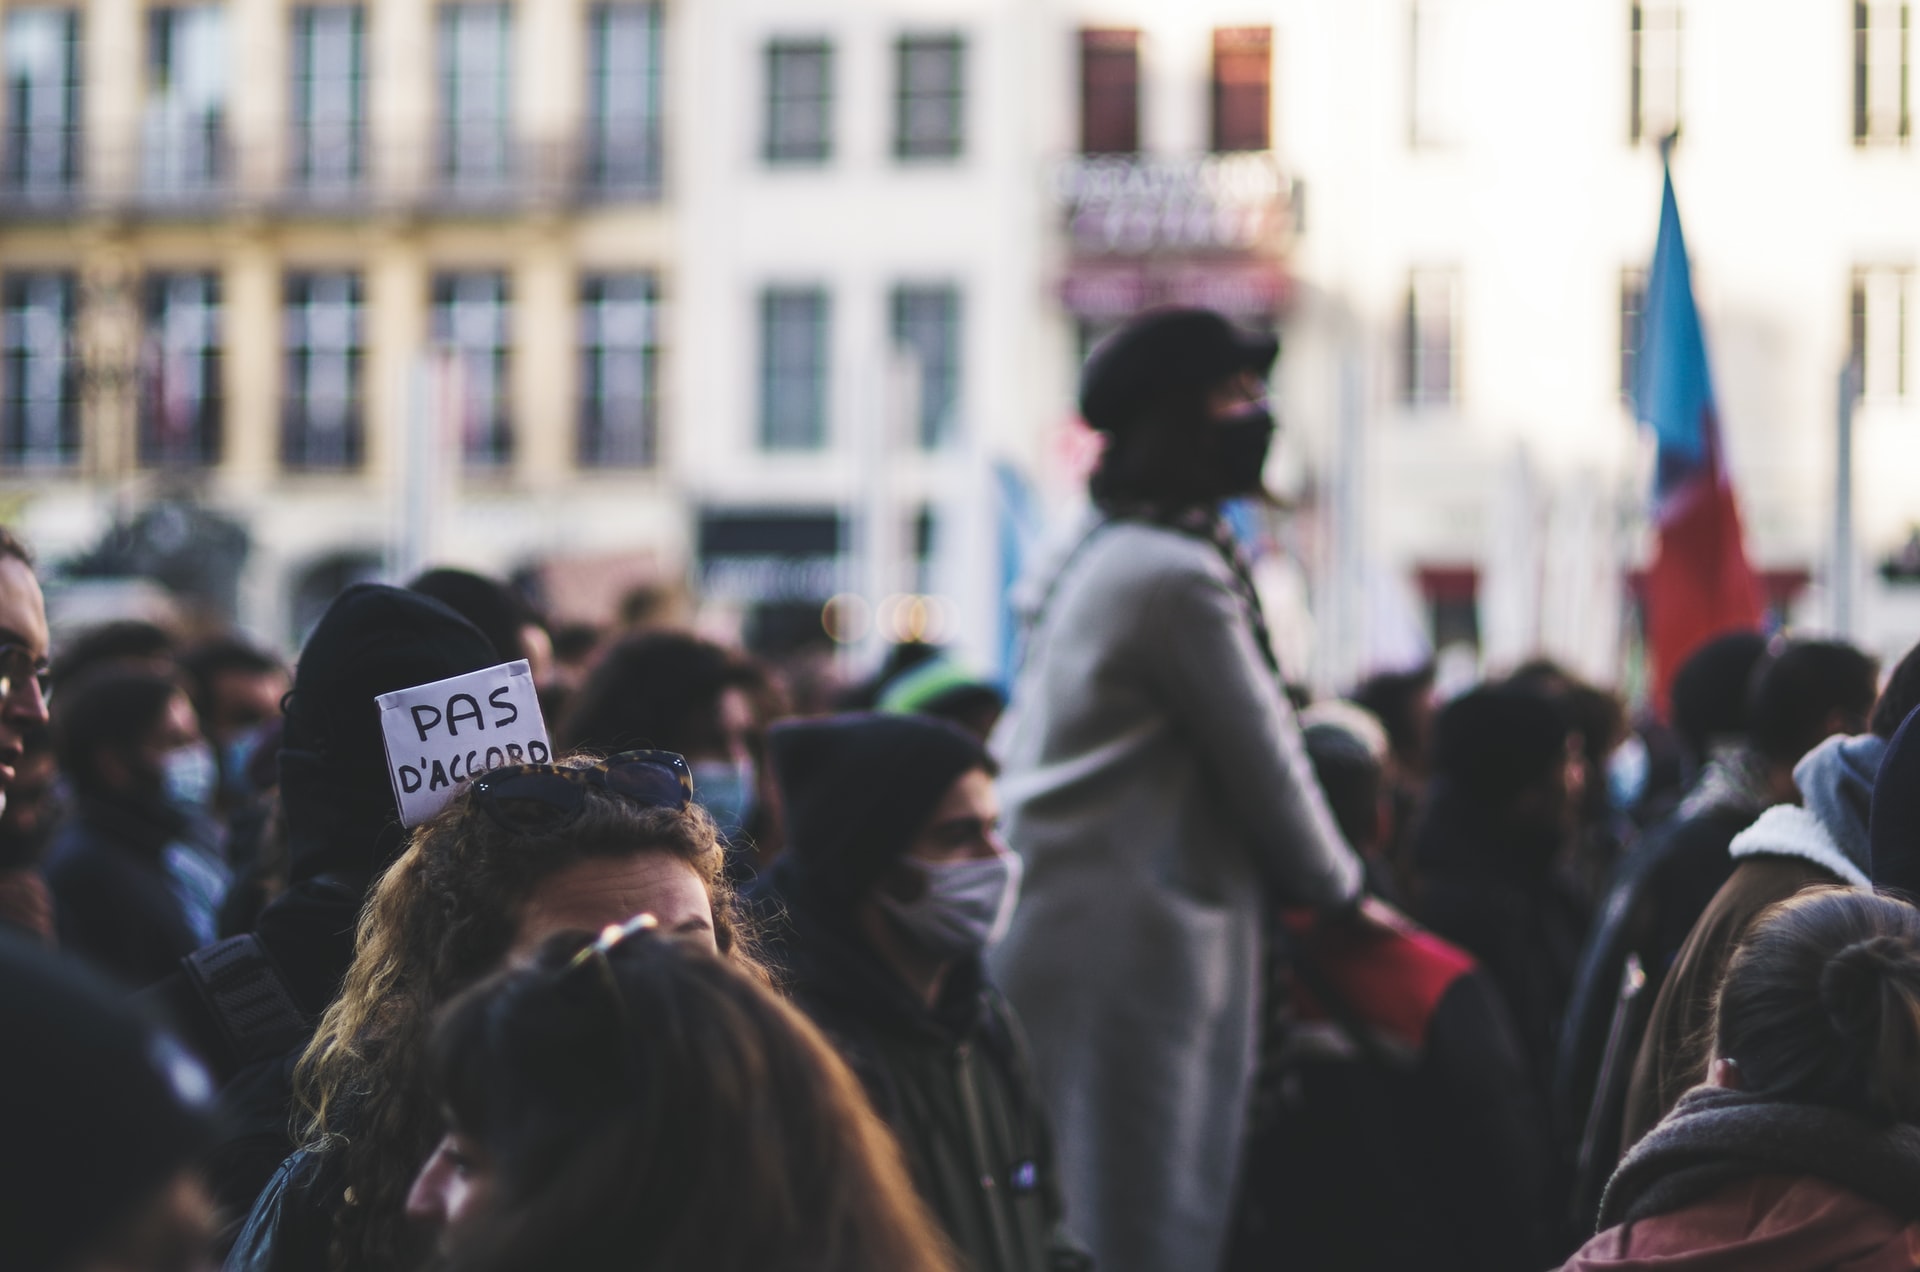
(859, 787)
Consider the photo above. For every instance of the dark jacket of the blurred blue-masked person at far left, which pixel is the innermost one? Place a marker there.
(116, 871)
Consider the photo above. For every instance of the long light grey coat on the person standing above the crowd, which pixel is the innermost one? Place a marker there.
(1159, 793)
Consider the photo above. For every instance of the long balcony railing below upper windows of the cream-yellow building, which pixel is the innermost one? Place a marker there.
(216, 178)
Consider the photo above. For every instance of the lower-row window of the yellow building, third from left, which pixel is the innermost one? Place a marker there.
(322, 408)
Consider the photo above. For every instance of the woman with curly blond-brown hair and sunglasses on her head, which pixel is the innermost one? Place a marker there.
(519, 856)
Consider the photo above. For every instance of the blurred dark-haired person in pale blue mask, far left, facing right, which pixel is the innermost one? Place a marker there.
(137, 869)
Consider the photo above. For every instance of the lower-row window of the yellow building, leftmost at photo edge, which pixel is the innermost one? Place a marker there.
(39, 372)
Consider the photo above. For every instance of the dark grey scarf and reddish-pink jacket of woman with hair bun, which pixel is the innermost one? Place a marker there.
(1739, 1183)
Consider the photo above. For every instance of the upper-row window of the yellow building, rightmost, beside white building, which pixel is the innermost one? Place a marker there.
(625, 99)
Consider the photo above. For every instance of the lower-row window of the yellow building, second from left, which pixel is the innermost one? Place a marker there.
(181, 372)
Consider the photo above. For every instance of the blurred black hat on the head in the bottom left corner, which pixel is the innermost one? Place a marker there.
(101, 1110)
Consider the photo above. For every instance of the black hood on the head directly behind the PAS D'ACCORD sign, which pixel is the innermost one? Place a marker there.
(333, 764)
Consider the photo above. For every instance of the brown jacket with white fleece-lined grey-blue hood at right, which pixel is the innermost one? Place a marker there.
(1787, 850)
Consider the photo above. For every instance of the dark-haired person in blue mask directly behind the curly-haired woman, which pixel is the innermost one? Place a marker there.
(679, 693)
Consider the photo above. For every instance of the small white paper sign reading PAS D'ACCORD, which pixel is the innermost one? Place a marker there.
(444, 733)
